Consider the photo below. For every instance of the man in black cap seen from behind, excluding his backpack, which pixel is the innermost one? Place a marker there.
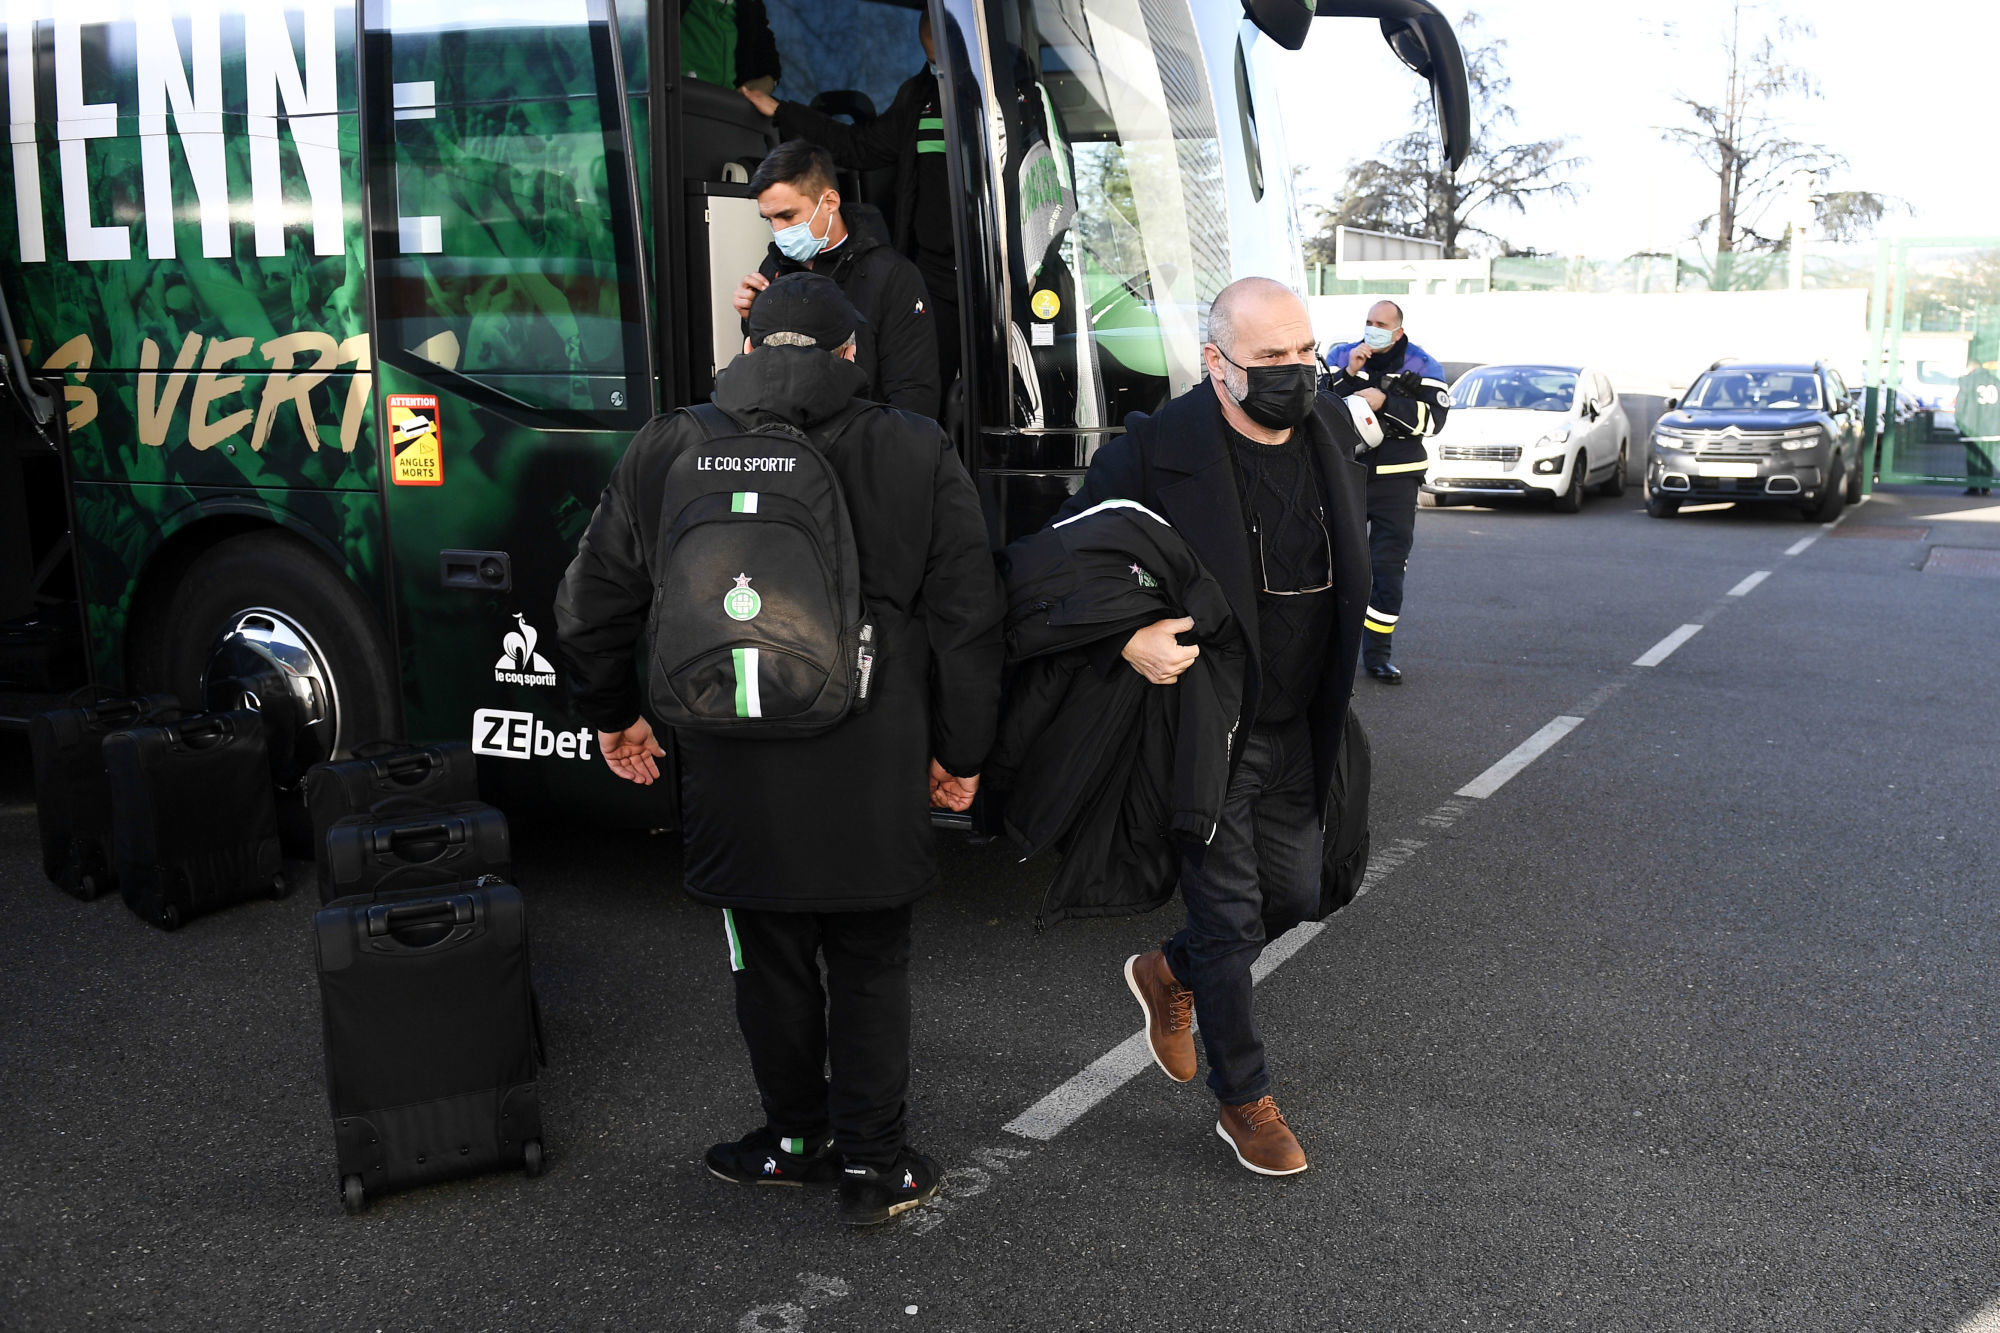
(815, 848)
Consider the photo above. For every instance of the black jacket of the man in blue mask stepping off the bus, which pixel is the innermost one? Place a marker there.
(897, 347)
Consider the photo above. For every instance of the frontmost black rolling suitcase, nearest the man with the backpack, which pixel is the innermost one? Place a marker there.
(431, 1036)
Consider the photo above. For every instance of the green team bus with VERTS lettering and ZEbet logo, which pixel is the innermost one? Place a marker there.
(325, 321)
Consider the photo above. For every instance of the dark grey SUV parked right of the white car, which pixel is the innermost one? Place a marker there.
(1767, 433)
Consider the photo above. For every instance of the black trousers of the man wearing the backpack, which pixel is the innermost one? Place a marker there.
(859, 1016)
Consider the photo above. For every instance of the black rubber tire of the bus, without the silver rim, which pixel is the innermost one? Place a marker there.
(279, 573)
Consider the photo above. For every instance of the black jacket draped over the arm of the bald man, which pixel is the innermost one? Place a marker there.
(1119, 774)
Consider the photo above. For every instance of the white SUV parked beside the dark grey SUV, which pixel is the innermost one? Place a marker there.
(1529, 431)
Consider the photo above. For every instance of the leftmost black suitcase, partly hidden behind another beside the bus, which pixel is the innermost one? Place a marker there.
(73, 800)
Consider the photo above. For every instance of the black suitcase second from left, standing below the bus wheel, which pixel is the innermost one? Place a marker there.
(193, 818)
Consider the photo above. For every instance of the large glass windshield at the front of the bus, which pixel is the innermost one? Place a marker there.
(1115, 205)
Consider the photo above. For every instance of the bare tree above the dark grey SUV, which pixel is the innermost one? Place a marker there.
(1745, 141)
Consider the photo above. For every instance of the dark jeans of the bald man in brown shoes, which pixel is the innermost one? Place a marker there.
(1259, 878)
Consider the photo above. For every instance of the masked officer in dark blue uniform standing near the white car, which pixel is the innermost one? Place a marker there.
(1409, 397)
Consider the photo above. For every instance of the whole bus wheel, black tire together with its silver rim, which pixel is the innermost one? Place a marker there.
(263, 621)
